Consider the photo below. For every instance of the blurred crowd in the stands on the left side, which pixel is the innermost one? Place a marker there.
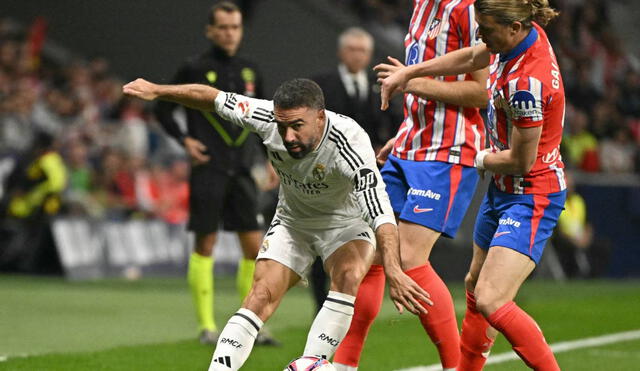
(68, 120)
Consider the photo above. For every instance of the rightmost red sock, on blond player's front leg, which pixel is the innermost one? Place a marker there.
(525, 337)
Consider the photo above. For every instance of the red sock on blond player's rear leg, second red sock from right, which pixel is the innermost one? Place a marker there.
(473, 340)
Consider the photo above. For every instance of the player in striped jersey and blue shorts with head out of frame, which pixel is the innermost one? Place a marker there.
(429, 174)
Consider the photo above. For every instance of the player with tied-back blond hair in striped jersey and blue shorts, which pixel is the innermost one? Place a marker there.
(524, 201)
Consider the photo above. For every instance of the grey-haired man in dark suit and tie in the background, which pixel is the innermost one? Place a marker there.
(351, 88)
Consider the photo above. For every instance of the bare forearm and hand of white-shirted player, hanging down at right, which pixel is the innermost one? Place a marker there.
(403, 290)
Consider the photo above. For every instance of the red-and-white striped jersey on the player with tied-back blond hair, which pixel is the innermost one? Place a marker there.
(526, 90)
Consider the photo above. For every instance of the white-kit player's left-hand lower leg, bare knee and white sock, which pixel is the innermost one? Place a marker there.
(271, 282)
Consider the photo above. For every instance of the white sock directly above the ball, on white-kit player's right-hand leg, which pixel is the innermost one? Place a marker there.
(330, 326)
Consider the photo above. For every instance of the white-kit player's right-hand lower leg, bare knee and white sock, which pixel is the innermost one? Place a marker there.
(346, 267)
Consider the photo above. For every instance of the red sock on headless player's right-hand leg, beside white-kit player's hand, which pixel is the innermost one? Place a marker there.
(440, 323)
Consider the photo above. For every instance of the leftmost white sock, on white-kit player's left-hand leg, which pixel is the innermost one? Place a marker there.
(236, 341)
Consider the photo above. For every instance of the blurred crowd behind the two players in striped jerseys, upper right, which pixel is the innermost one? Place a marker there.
(602, 81)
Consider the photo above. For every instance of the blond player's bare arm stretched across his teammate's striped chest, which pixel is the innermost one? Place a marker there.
(460, 61)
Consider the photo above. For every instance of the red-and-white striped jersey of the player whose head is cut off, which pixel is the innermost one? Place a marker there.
(431, 130)
